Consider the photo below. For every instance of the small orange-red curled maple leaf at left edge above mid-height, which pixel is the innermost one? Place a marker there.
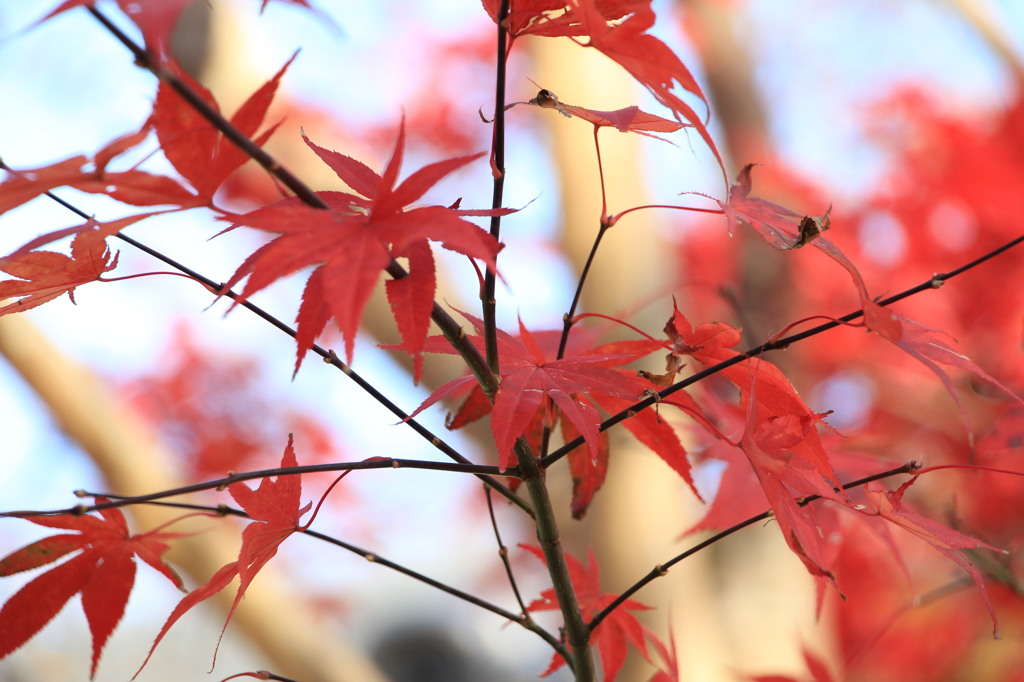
(45, 276)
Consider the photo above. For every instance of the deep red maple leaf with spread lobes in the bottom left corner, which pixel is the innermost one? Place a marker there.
(104, 573)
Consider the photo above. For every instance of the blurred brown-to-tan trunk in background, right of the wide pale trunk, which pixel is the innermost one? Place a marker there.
(766, 598)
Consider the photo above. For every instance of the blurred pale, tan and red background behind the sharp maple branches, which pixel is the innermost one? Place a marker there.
(904, 115)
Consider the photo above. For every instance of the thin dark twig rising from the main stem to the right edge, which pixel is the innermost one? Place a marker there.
(934, 283)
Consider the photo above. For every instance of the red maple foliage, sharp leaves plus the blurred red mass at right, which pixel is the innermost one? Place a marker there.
(782, 459)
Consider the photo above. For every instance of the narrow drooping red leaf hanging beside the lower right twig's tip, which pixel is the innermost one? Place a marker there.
(889, 506)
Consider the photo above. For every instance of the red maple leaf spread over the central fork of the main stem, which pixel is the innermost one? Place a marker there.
(531, 373)
